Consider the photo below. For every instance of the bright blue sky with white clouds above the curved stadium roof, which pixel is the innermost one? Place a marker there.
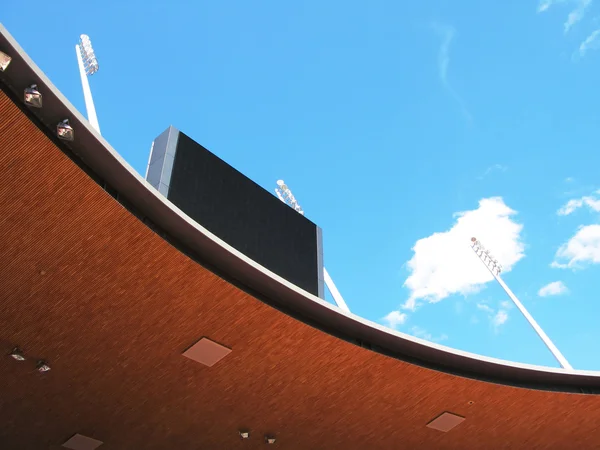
(386, 120)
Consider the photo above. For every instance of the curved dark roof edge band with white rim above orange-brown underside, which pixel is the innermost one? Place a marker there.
(103, 161)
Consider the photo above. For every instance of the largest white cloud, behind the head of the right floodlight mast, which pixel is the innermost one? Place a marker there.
(444, 264)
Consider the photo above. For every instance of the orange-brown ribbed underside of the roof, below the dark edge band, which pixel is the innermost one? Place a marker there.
(112, 307)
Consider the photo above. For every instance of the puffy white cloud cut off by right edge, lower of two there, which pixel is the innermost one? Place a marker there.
(580, 250)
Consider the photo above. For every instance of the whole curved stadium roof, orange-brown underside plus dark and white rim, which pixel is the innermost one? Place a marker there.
(110, 283)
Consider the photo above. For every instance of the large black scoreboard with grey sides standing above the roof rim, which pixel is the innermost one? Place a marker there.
(237, 210)
